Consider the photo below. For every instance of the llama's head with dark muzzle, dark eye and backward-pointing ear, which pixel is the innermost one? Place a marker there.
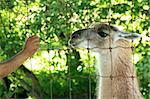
(99, 37)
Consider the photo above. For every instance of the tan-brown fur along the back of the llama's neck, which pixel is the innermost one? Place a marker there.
(124, 81)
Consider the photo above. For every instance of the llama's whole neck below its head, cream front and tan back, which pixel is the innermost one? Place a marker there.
(117, 63)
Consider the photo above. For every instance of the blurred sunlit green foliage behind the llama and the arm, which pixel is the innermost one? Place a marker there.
(56, 72)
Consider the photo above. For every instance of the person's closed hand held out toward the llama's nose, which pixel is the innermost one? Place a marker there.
(31, 46)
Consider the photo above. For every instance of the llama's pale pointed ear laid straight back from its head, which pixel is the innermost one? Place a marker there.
(128, 36)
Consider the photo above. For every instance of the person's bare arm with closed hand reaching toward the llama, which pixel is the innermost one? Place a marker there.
(31, 46)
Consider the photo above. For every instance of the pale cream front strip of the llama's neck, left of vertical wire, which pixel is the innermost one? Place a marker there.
(103, 67)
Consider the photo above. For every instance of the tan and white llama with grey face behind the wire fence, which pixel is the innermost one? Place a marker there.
(116, 75)
